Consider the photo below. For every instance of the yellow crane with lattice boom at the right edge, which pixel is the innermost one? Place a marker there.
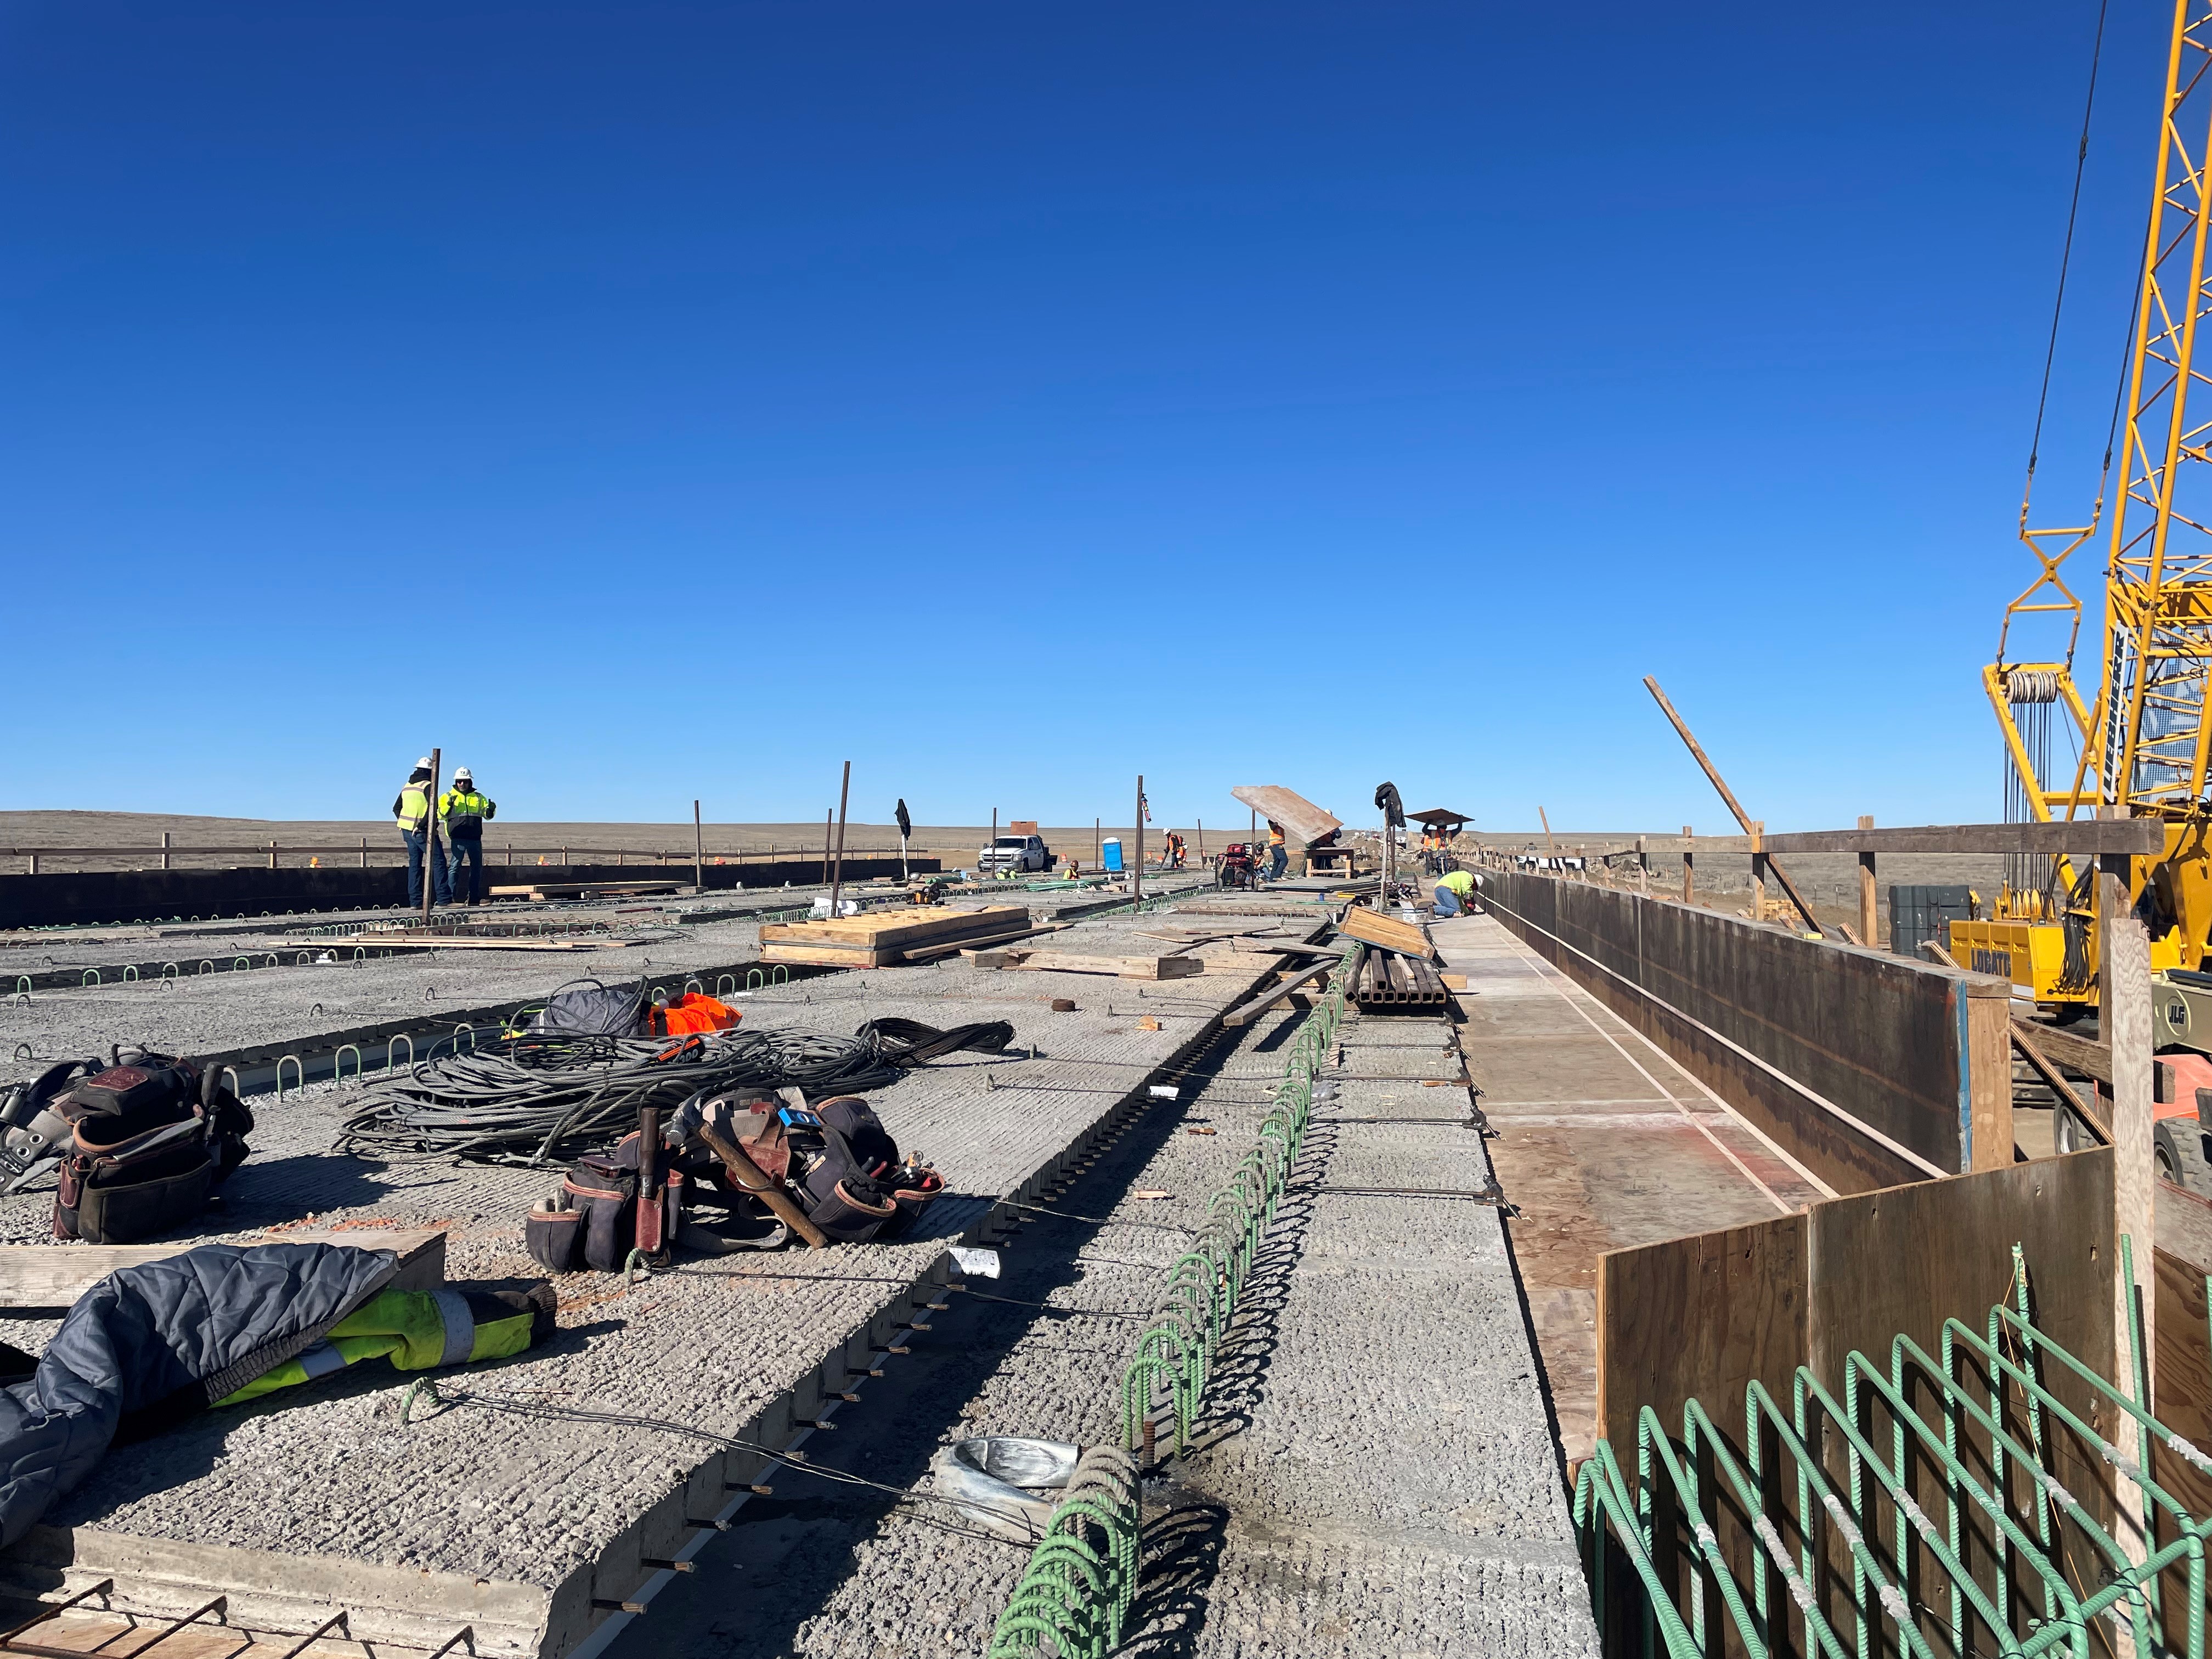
(2142, 747)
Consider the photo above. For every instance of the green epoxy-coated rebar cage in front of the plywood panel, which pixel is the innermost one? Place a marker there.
(1981, 1421)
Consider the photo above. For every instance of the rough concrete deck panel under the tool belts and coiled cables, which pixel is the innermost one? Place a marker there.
(722, 1346)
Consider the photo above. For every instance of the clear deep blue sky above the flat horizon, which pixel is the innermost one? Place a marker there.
(647, 401)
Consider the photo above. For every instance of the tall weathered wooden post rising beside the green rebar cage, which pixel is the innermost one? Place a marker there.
(2125, 1023)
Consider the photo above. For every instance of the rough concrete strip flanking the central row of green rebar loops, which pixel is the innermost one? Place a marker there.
(1373, 1474)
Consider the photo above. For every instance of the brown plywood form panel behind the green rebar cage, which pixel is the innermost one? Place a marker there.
(1709, 1315)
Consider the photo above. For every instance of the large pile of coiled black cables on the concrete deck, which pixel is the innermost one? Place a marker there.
(547, 1096)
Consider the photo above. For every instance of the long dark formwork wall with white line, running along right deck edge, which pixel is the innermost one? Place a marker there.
(1872, 1050)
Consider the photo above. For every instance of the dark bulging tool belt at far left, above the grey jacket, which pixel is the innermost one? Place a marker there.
(149, 1142)
